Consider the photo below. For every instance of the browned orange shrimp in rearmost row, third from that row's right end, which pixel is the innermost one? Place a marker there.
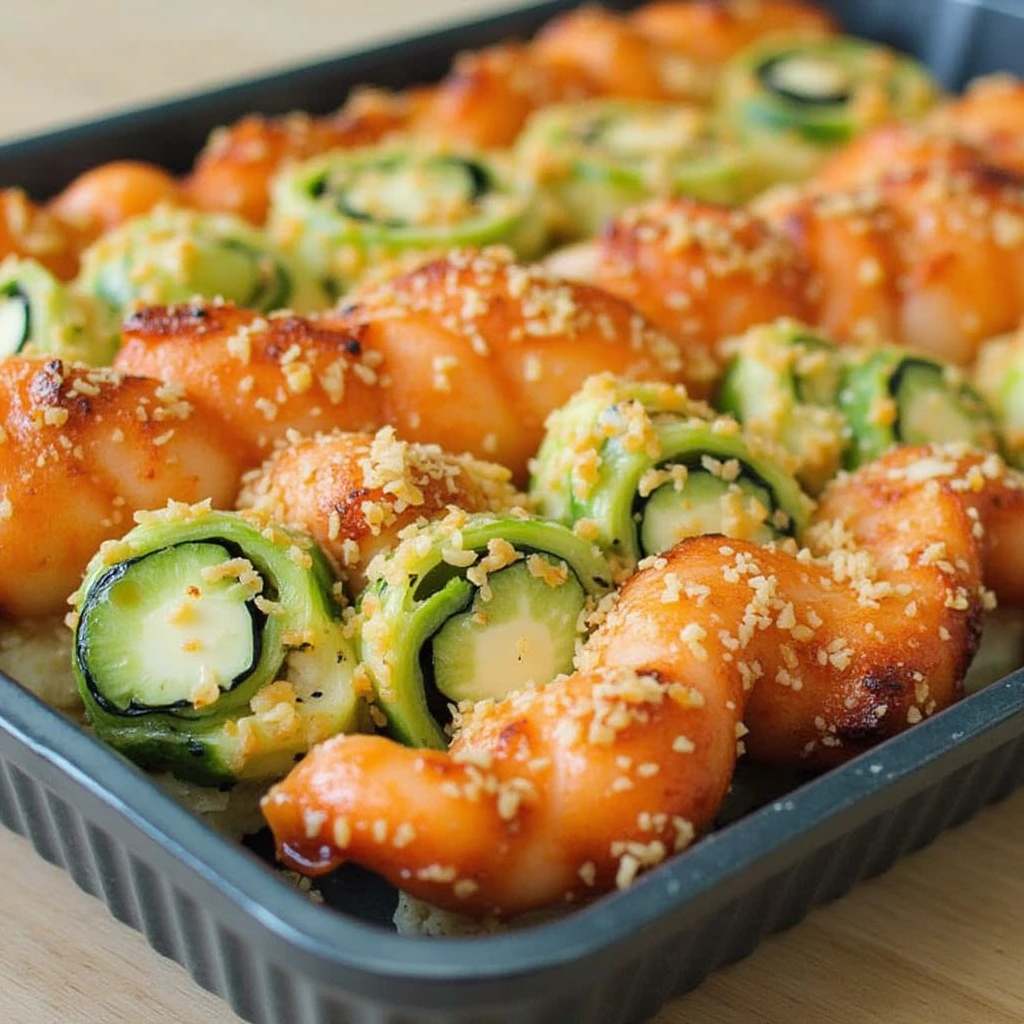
(488, 97)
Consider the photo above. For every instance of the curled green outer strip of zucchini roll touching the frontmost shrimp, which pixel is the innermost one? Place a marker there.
(418, 590)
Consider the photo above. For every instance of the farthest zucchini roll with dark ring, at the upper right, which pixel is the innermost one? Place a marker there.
(795, 99)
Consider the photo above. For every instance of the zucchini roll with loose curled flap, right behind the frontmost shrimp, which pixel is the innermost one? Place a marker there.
(473, 608)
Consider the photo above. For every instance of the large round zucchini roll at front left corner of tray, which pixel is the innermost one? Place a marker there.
(209, 645)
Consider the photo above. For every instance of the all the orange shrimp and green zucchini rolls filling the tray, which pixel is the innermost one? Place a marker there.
(483, 470)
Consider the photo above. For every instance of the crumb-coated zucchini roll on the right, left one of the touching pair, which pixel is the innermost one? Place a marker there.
(783, 385)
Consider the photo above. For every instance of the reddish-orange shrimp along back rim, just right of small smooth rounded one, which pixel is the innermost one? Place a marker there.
(234, 172)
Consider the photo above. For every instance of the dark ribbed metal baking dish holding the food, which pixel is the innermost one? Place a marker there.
(219, 910)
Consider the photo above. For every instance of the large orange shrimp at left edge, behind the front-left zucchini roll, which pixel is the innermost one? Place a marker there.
(82, 449)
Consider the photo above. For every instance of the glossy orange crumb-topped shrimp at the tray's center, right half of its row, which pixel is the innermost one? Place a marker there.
(480, 350)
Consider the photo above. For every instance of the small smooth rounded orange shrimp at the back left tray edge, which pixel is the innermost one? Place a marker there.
(110, 195)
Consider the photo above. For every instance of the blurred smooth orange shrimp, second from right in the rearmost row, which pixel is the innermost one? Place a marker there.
(618, 60)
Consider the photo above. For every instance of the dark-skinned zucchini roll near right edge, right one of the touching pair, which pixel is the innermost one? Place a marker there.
(891, 397)
